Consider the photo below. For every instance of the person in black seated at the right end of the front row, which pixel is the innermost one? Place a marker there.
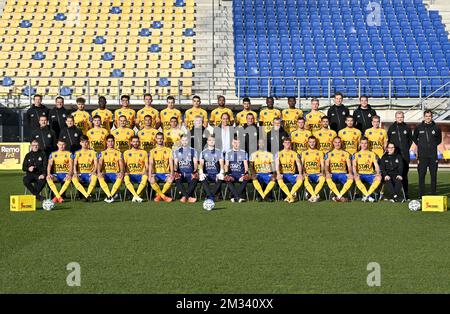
(391, 165)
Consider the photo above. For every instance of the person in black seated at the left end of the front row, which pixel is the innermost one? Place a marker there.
(35, 168)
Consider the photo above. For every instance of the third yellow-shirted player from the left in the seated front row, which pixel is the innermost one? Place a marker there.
(110, 169)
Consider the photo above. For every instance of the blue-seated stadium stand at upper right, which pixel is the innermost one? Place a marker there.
(324, 46)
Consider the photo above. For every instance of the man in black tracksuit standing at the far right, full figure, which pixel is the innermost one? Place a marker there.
(427, 136)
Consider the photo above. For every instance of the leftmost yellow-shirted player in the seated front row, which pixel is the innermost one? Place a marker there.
(59, 169)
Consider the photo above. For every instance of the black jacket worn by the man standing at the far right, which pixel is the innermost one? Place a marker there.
(427, 137)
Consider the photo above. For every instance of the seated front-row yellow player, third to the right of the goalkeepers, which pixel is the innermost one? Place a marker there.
(313, 169)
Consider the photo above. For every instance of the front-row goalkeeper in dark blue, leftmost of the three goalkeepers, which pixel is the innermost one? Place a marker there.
(185, 170)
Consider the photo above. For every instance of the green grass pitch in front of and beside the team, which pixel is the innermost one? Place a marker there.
(239, 248)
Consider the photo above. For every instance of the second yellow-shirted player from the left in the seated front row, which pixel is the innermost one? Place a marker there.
(85, 169)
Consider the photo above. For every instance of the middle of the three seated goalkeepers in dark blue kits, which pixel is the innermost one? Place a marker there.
(211, 170)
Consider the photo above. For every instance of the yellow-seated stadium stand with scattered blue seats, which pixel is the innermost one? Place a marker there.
(83, 47)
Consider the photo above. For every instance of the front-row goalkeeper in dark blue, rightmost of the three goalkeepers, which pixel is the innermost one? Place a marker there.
(236, 171)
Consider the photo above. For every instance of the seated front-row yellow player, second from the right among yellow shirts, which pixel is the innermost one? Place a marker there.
(338, 169)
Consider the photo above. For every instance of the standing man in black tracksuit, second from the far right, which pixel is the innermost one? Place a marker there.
(400, 134)
